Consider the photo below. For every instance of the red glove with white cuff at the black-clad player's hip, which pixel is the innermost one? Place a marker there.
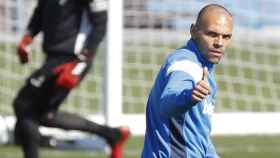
(69, 74)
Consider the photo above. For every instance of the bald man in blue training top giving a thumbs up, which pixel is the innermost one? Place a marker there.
(183, 96)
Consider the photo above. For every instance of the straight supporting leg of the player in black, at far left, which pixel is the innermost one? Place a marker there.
(26, 128)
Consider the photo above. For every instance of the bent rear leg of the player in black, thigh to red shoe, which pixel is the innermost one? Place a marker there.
(69, 121)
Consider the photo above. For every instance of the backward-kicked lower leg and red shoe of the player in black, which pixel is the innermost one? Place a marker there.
(115, 137)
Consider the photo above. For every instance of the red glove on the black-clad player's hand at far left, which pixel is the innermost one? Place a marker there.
(21, 50)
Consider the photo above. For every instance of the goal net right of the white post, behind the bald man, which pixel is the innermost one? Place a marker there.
(248, 78)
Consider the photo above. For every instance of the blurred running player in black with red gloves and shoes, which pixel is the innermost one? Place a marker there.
(72, 31)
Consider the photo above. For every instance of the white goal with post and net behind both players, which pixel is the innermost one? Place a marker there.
(140, 35)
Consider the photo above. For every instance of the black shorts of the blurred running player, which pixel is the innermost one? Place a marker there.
(40, 95)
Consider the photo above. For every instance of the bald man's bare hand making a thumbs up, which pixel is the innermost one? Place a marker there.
(202, 88)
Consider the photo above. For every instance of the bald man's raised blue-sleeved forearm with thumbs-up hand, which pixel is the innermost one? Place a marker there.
(183, 90)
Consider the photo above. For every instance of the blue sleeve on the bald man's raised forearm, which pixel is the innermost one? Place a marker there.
(176, 97)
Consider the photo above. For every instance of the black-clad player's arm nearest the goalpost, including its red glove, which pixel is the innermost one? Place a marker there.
(69, 74)
